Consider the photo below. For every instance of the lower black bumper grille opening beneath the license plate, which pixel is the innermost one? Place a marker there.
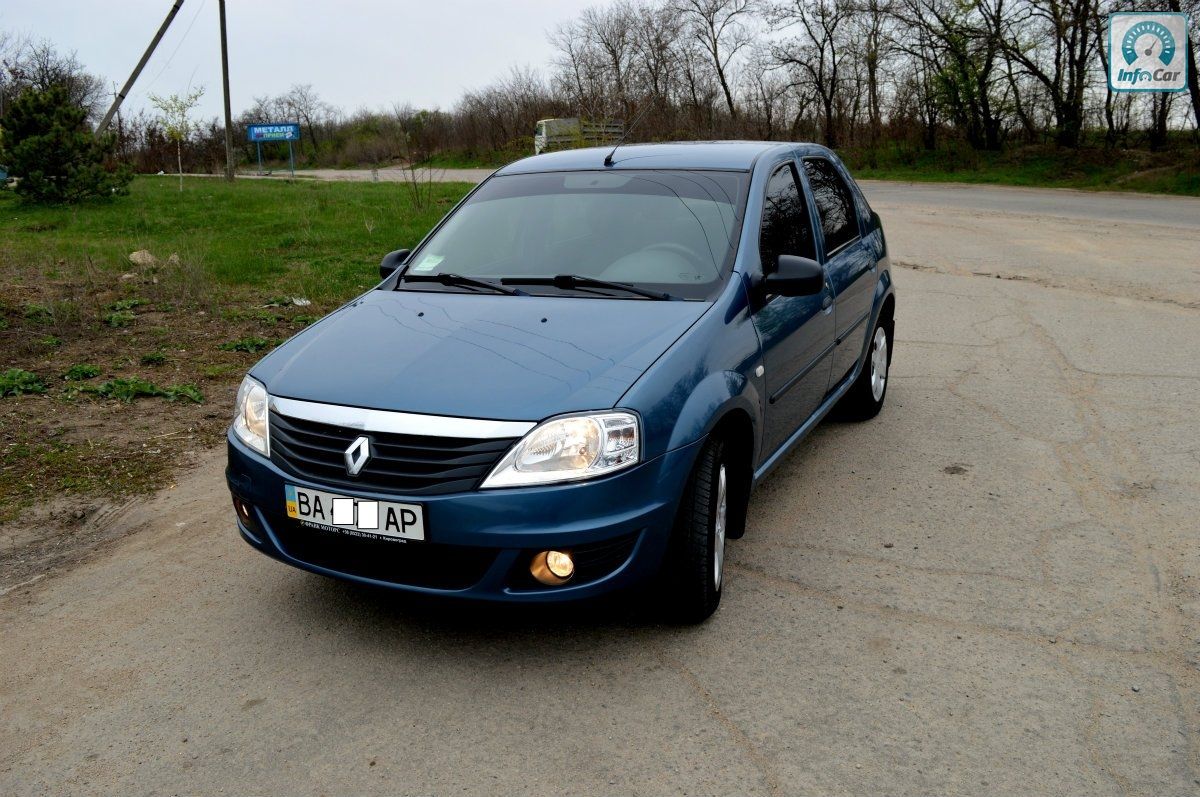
(418, 565)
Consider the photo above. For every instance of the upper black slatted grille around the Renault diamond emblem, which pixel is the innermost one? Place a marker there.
(413, 465)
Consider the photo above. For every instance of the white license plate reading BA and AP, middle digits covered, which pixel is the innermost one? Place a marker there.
(355, 517)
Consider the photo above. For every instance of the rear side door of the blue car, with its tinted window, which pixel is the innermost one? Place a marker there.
(848, 259)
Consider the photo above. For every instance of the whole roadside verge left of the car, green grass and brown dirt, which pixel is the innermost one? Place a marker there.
(112, 368)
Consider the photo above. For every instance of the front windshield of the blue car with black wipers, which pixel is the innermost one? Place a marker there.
(671, 231)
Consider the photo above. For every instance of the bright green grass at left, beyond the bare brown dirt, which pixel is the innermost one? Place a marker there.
(320, 241)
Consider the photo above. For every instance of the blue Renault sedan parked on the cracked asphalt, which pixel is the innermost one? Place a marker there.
(573, 385)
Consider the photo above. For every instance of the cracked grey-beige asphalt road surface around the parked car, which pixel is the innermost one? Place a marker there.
(991, 590)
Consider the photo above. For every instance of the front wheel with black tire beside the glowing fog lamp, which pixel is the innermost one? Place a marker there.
(694, 572)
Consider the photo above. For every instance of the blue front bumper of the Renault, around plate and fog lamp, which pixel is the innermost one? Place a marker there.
(479, 543)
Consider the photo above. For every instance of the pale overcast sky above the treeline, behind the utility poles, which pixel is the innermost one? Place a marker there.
(356, 53)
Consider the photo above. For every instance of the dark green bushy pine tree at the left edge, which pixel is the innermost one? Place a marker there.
(47, 145)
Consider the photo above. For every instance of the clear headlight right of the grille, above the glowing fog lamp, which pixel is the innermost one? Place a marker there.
(569, 450)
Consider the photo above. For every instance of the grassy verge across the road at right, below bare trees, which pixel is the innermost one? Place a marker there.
(1095, 170)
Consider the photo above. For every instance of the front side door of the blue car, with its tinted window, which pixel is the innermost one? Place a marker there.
(797, 333)
